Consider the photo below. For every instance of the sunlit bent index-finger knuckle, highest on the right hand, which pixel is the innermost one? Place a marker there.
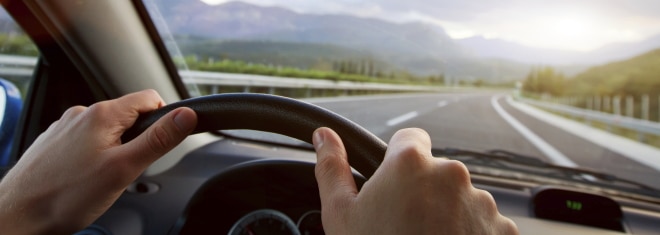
(408, 147)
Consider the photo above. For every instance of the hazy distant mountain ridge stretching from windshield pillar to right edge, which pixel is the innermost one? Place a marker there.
(241, 20)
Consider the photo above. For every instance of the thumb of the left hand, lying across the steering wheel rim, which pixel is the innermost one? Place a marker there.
(161, 137)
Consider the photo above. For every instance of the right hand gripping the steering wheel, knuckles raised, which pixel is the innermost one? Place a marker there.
(411, 192)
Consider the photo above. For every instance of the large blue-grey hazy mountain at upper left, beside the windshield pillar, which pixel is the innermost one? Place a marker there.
(238, 20)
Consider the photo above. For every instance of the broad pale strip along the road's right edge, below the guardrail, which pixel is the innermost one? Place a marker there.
(644, 154)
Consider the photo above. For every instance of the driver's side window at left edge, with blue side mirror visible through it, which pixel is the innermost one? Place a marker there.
(18, 59)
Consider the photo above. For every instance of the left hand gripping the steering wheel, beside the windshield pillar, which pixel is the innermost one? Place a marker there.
(78, 168)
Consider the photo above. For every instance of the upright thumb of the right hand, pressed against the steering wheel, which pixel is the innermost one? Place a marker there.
(333, 173)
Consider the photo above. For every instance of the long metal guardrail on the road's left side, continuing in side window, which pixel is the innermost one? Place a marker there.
(23, 66)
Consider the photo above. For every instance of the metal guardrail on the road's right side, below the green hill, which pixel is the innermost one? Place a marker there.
(638, 125)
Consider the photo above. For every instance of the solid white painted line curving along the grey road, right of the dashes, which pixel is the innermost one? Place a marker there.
(547, 149)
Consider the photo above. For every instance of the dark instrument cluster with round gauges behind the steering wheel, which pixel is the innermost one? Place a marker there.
(274, 196)
